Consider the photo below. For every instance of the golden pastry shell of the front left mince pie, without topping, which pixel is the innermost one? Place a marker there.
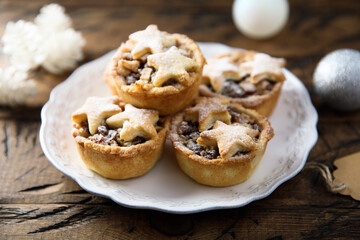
(117, 162)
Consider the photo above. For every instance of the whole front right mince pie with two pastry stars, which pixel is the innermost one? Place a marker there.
(219, 143)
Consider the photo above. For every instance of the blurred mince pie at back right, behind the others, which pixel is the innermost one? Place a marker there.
(246, 77)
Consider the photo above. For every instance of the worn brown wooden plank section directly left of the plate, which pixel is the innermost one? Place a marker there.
(25, 158)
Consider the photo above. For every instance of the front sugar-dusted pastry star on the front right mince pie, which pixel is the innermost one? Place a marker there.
(229, 139)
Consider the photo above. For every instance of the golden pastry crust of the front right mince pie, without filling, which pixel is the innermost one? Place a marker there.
(220, 172)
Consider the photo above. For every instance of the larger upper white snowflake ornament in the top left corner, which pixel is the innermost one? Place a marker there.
(50, 42)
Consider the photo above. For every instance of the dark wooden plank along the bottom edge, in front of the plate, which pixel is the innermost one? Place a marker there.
(98, 222)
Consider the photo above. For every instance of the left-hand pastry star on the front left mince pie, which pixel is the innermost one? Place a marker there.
(95, 110)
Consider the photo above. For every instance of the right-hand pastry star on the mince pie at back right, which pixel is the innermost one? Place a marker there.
(263, 67)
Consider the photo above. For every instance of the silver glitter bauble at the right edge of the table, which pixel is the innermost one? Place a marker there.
(337, 79)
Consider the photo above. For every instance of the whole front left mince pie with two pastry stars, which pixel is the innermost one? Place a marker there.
(118, 140)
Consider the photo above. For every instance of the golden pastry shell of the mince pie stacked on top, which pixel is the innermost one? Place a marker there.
(167, 100)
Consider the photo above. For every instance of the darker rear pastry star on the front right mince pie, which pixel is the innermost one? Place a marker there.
(207, 111)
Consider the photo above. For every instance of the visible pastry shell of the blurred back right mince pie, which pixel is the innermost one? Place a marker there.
(264, 104)
